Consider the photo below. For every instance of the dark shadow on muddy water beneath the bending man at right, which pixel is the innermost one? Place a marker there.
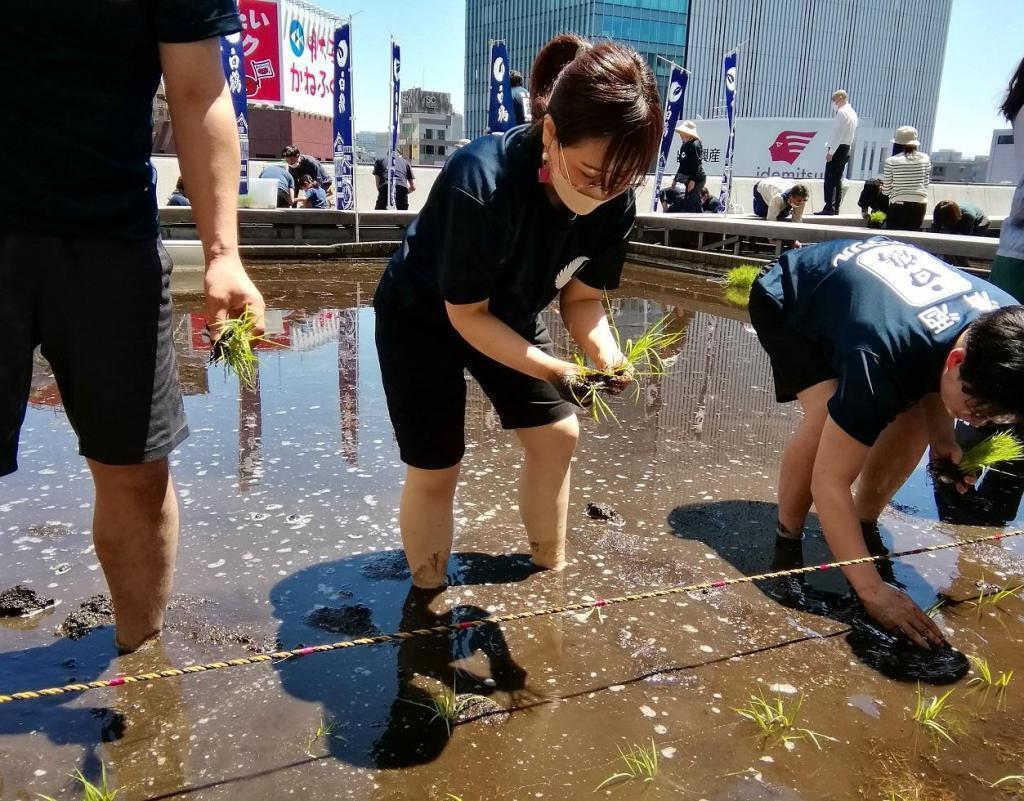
(744, 534)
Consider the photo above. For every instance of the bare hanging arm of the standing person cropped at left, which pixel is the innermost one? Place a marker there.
(208, 151)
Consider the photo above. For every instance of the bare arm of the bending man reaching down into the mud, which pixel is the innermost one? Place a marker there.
(839, 462)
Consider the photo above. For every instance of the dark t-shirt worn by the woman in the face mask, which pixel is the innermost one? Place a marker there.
(489, 231)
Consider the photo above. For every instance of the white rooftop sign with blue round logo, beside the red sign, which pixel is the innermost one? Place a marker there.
(308, 58)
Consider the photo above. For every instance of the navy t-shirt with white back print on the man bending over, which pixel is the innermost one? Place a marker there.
(887, 316)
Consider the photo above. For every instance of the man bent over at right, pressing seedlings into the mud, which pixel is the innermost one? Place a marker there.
(884, 347)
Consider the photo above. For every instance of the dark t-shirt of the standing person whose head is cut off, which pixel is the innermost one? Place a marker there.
(77, 94)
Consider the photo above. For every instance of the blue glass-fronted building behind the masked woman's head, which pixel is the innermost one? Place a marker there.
(653, 28)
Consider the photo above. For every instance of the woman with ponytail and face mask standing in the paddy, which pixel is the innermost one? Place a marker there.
(513, 222)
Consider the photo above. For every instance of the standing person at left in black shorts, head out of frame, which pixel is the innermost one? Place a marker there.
(87, 269)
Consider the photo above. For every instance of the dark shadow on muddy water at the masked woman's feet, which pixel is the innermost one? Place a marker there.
(388, 689)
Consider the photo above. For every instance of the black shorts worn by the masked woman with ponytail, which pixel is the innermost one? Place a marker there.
(422, 366)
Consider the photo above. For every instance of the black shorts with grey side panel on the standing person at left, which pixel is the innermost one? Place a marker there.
(101, 311)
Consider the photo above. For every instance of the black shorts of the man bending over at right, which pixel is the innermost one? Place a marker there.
(797, 362)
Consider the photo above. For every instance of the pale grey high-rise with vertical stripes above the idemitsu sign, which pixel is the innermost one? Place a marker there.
(887, 56)
